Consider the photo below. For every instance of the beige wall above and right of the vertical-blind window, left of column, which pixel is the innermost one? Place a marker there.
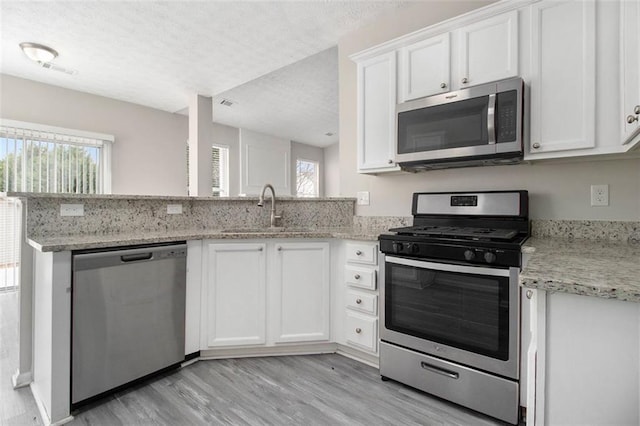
(149, 153)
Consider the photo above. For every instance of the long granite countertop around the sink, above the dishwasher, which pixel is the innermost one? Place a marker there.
(91, 241)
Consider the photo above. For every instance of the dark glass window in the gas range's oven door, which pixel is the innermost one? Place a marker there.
(469, 312)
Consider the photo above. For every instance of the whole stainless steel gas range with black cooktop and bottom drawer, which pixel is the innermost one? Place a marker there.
(450, 313)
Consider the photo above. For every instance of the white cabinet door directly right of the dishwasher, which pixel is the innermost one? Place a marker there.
(235, 306)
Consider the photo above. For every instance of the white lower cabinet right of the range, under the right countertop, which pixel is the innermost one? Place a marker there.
(583, 360)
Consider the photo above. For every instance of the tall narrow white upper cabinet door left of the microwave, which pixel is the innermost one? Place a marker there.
(376, 114)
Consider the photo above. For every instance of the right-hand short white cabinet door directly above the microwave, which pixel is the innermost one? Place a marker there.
(488, 50)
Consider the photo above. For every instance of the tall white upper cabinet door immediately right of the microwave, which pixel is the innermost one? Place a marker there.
(562, 82)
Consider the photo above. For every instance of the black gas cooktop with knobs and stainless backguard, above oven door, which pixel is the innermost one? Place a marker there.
(486, 228)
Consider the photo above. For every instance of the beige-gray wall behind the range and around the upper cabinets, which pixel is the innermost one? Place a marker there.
(558, 190)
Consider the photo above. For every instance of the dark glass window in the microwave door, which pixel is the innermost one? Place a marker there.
(455, 125)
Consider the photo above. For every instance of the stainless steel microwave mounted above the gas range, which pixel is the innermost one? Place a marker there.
(481, 125)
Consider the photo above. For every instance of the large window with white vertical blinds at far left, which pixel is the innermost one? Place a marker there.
(38, 158)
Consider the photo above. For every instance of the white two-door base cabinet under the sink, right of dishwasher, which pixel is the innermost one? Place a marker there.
(261, 293)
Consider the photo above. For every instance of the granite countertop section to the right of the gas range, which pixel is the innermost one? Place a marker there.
(600, 268)
